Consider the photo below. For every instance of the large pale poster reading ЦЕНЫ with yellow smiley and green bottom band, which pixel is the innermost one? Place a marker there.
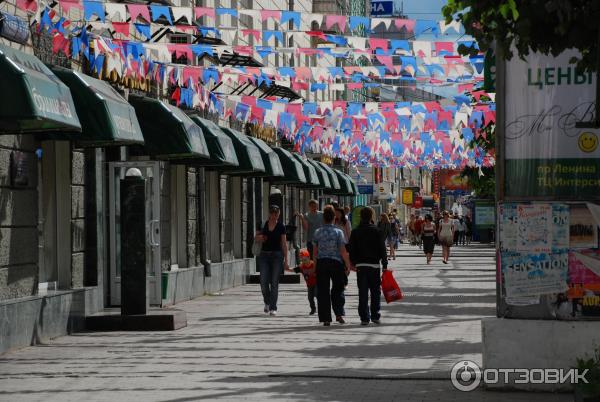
(546, 154)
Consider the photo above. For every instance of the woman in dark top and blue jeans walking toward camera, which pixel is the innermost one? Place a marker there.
(273, 258)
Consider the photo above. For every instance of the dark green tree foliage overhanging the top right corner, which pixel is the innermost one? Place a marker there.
(546, 26)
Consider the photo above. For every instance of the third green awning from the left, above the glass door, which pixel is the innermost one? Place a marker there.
(168, 132)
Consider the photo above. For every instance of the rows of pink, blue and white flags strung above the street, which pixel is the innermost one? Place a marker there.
(425, 134)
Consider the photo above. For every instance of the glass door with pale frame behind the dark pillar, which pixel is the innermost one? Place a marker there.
(151, 172)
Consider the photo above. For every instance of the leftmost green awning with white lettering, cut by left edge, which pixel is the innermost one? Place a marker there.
(33, 98)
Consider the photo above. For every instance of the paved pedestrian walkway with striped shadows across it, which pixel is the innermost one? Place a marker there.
(232, 351)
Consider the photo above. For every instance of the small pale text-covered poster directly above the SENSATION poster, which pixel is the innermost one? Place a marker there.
(534, 233)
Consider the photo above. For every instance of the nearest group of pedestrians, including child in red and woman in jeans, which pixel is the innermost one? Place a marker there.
(333, 250)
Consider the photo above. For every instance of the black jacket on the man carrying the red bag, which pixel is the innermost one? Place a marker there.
(367, 246)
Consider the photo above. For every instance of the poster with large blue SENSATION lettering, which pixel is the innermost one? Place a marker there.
(535, 274)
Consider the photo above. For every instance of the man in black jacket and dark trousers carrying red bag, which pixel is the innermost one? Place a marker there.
(367, 252)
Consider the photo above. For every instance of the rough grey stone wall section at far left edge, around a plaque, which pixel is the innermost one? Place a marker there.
(18, 220)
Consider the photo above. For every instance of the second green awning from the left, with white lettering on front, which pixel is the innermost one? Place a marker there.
(106, 117)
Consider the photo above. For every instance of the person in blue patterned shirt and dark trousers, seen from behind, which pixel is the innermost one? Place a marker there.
(331, 255)
